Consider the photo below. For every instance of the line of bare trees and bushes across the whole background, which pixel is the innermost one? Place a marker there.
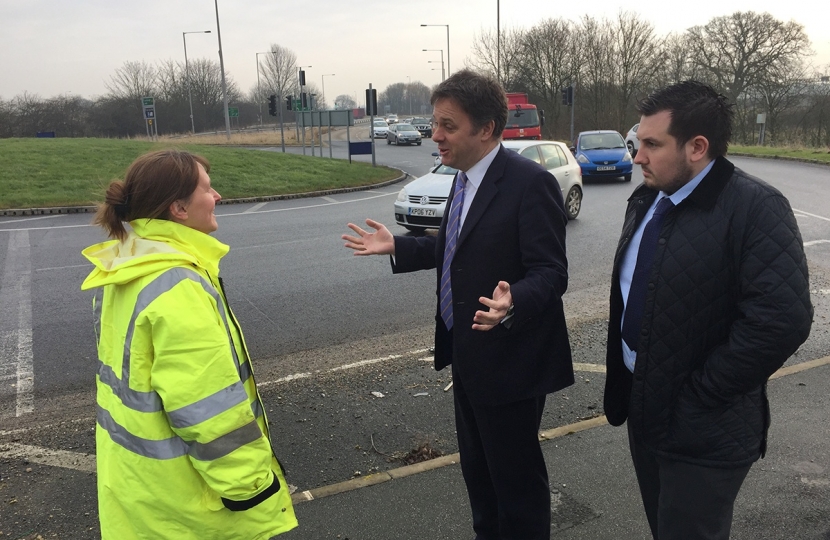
(759, 62)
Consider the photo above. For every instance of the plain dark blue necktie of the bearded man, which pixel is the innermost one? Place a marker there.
(639, 281)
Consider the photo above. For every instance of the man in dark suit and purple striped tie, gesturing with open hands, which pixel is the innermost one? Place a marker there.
(502, 271)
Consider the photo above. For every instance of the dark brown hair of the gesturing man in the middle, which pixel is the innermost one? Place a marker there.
(480, 96)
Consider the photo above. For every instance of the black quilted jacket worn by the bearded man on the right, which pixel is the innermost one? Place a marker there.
(727, 304)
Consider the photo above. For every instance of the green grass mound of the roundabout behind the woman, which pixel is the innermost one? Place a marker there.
(67, 172)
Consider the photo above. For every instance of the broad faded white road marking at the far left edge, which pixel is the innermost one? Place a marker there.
(16, 319)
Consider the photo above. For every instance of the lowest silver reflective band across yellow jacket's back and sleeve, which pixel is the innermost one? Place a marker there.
(175, 447)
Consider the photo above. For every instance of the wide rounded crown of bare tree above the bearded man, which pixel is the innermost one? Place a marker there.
(737, 50)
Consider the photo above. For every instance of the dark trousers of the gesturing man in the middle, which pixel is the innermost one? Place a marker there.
(503, 467)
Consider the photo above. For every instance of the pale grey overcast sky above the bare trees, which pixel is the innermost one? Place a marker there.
(52, 47)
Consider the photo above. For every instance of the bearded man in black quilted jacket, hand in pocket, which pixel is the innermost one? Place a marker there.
(709, 297)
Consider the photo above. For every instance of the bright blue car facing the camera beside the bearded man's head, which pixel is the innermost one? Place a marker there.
(603, 153)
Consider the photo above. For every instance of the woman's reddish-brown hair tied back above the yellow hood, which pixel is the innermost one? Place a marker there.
(153, 182)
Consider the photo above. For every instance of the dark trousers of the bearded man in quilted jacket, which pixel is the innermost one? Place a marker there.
(685, 501)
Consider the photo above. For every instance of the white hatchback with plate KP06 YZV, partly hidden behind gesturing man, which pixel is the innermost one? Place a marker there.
(420, 204)
